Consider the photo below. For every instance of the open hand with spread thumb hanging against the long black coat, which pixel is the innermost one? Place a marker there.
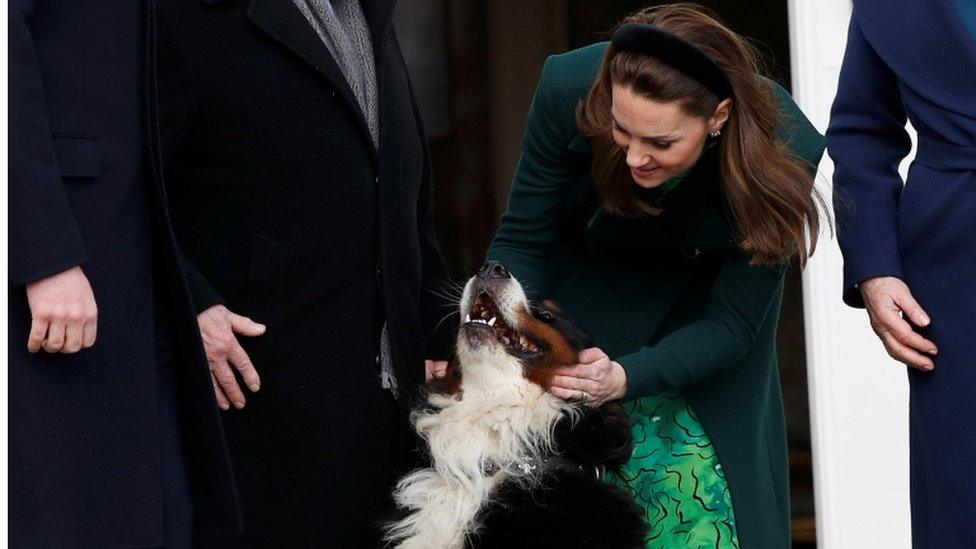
(218, 326)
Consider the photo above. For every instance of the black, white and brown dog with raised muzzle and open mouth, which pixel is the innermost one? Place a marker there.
(511, 464)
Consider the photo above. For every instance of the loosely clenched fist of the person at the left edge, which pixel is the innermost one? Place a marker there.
(63, 312)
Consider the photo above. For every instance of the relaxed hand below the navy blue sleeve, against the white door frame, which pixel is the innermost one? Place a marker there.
(889, 303)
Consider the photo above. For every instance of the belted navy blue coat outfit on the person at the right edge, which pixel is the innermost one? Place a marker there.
(916, 60)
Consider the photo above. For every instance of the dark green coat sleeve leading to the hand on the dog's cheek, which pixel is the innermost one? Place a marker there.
(737, 305)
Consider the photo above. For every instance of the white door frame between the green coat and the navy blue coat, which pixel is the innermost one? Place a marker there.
(858, 396)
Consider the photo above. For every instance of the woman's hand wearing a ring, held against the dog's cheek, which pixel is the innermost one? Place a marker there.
(595, 380)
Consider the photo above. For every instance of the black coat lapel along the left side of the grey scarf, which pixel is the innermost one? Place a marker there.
(283, 22)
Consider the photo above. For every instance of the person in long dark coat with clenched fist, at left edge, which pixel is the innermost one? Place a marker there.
(115, 438)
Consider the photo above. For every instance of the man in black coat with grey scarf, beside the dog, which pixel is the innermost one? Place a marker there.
(299, 185)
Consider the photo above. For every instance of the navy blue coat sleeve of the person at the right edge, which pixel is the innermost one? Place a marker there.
(867, 140)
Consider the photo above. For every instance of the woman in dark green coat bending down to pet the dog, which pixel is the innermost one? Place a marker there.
(663, 188)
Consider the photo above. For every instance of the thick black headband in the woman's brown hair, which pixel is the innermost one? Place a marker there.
(676, 52)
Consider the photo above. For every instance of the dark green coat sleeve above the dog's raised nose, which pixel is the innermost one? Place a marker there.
(529, 225)
